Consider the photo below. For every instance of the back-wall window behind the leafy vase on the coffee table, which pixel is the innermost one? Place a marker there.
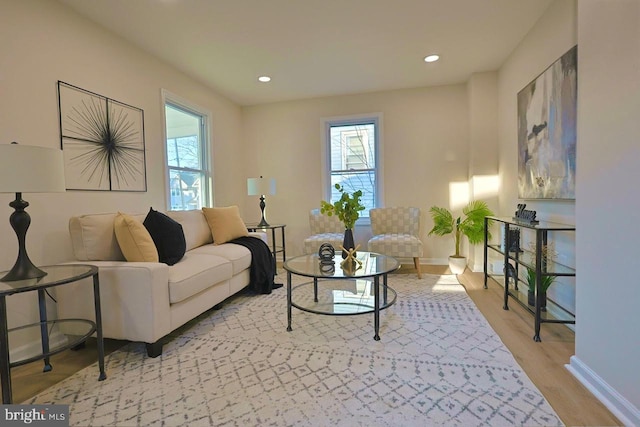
(352, 146)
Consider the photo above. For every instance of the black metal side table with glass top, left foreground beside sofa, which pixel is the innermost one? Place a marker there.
(57, 275)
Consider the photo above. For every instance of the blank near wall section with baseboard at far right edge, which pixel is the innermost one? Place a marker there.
(607, 205)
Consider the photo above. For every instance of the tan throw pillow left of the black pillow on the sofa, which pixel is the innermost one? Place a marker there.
(134, 240)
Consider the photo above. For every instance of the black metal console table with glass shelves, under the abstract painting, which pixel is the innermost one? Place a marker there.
(535, 260)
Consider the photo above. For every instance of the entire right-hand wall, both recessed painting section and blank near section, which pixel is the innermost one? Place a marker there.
(608, 164)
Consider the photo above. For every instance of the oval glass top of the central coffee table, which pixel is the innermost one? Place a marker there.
(372, 264)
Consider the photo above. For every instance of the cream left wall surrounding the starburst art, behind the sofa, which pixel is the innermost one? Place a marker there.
(42, 42)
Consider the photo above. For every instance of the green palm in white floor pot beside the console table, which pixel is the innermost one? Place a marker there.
(471, 226)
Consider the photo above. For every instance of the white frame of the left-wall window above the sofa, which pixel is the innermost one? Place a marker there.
(205, 146)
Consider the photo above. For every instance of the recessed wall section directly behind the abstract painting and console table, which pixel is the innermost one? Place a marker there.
(553, 35)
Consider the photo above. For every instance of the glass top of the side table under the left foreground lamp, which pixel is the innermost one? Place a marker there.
(56, 275)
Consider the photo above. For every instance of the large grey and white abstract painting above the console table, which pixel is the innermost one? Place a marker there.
(547, 111)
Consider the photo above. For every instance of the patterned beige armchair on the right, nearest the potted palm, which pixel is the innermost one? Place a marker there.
(396, 233)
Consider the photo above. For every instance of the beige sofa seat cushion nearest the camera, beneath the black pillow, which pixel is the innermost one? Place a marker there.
(195, 273)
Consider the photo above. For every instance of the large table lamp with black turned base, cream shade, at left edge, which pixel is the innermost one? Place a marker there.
(27, 169)
